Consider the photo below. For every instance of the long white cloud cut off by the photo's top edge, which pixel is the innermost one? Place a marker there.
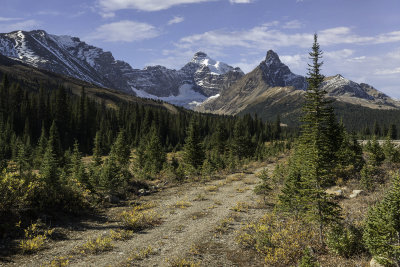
(109, 6)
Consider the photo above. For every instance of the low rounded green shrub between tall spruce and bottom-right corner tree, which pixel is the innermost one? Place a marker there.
(344, 241)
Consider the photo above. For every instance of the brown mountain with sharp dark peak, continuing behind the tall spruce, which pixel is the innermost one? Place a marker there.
(272, 88)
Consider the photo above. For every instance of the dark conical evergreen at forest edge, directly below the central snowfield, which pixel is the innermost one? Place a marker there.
(193, 150)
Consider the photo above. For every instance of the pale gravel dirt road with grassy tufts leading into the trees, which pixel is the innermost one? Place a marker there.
(198, 225)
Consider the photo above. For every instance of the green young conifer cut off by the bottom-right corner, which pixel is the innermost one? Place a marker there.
(382, 227)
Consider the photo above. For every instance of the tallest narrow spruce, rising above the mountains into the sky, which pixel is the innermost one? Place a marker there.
(316, 150)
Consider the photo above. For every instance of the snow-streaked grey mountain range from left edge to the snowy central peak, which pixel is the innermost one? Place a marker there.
(70, 56)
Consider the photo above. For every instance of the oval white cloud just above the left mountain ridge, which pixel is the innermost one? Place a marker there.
(124, 31)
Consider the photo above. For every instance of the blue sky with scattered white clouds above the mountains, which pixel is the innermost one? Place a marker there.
(360, 38)
